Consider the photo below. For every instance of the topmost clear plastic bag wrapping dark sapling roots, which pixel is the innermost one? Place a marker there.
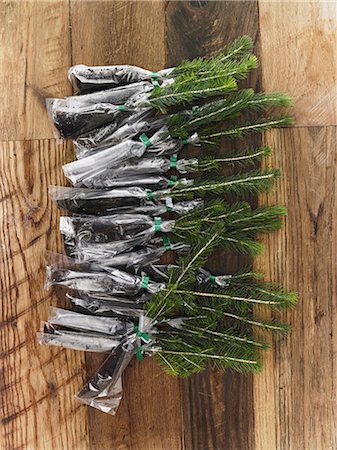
(94, 78)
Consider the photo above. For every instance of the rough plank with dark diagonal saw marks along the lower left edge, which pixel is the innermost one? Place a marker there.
(38, 383)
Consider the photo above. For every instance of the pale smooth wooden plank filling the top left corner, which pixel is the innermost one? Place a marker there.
(33, 65)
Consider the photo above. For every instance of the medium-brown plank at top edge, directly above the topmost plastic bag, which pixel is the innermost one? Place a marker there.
(122, 32)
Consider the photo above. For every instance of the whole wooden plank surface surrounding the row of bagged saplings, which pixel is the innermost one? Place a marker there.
(292, 404)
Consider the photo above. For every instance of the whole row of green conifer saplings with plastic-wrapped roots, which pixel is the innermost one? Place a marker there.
(136, 197)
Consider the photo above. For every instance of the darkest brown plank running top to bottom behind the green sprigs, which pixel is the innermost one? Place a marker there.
(217, 407)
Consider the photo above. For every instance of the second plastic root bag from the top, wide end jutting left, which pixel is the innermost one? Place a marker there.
(75, 115)
